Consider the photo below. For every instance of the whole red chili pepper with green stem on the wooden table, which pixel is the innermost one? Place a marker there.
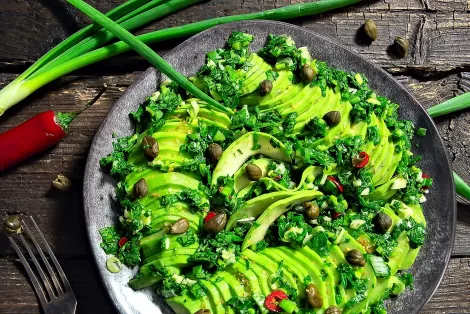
(35, 135)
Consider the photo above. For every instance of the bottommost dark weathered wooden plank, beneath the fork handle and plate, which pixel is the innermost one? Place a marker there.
(19, 298)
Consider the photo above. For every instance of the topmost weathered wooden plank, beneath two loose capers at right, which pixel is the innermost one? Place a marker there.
(439, 34)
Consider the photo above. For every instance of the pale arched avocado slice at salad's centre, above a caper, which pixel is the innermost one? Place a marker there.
(241, 149)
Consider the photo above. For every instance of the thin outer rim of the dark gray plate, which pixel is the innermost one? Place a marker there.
(88, 169)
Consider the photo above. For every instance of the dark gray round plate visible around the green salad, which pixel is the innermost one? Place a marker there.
(440, 209)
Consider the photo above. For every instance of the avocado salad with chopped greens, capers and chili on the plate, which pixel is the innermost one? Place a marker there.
(302, 196)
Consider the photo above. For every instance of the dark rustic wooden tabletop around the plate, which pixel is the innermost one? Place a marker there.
(437, 68)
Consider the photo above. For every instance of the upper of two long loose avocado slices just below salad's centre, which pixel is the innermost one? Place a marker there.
(255, 206)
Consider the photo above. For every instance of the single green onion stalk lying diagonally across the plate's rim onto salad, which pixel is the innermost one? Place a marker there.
(146, 52)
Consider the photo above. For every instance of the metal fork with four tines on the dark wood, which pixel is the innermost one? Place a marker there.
(57, 298)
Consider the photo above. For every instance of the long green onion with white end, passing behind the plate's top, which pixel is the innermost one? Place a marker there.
(23, 86)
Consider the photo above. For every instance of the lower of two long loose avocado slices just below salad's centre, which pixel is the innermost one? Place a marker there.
(258, 230)
